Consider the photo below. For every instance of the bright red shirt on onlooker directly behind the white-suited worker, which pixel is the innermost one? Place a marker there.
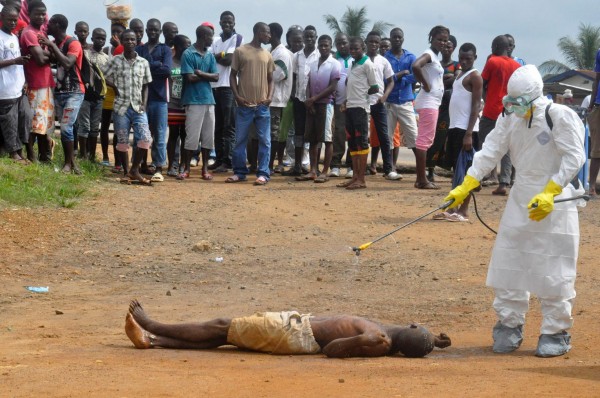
(497, 70)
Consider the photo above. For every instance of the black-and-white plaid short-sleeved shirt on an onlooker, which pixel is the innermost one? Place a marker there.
(129, 77)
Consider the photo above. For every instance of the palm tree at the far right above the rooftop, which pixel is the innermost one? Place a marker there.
(579, 53)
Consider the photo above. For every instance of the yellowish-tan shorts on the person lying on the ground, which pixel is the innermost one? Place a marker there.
(286, 332)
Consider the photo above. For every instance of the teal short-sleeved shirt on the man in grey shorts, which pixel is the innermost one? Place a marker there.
(199, 93)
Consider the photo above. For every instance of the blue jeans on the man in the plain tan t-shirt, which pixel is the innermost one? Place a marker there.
(260, 116)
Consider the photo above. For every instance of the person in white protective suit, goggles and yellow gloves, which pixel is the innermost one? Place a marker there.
(537, 243)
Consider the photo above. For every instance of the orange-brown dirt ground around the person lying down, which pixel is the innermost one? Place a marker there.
(284, 246)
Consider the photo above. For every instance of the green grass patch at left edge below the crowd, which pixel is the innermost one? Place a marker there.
(44, 185)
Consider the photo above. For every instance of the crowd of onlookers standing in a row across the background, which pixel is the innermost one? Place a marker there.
(226, 102)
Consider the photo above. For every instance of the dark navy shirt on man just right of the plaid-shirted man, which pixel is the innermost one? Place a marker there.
(161, 63)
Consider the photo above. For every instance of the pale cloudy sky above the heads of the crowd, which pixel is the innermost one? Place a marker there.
(537, 25)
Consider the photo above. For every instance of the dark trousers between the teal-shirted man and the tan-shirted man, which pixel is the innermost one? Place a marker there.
(224, 124)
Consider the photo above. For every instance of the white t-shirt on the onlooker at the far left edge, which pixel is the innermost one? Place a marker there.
(12, 78)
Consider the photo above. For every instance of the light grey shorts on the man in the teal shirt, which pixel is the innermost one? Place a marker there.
(199, 127)
